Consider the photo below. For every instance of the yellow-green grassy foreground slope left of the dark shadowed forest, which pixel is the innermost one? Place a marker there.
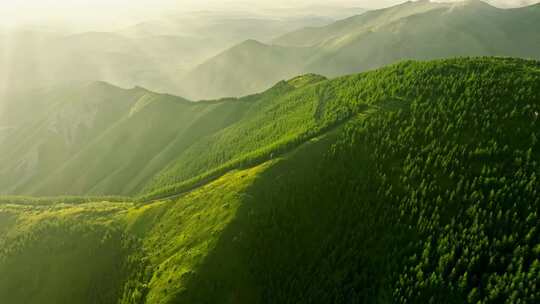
(106, 252)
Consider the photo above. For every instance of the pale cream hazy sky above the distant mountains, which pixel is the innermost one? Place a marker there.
(119, 12)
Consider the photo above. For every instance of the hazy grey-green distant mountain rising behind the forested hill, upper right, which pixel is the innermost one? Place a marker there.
(418, 30)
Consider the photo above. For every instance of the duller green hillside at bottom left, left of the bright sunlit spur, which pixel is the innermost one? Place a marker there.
(82, 253)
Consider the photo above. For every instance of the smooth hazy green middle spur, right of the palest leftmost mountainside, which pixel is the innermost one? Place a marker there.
(136, 148)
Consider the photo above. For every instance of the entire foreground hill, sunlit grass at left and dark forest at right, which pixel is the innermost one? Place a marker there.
(424, 189)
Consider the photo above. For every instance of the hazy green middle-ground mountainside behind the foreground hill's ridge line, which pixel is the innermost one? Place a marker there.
(157, 133)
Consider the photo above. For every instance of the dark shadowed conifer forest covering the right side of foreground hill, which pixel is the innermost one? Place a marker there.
(429, 200)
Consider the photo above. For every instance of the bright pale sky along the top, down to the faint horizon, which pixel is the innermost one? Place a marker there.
(84, 15)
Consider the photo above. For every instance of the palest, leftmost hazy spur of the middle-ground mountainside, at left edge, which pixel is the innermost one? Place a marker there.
(58, 124)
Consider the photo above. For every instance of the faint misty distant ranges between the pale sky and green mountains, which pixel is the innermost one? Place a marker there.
(153, 53)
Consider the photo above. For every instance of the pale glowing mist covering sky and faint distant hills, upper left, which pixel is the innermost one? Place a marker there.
(153, 44)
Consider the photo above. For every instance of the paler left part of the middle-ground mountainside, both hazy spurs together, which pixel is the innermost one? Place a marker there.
(73, 150)
